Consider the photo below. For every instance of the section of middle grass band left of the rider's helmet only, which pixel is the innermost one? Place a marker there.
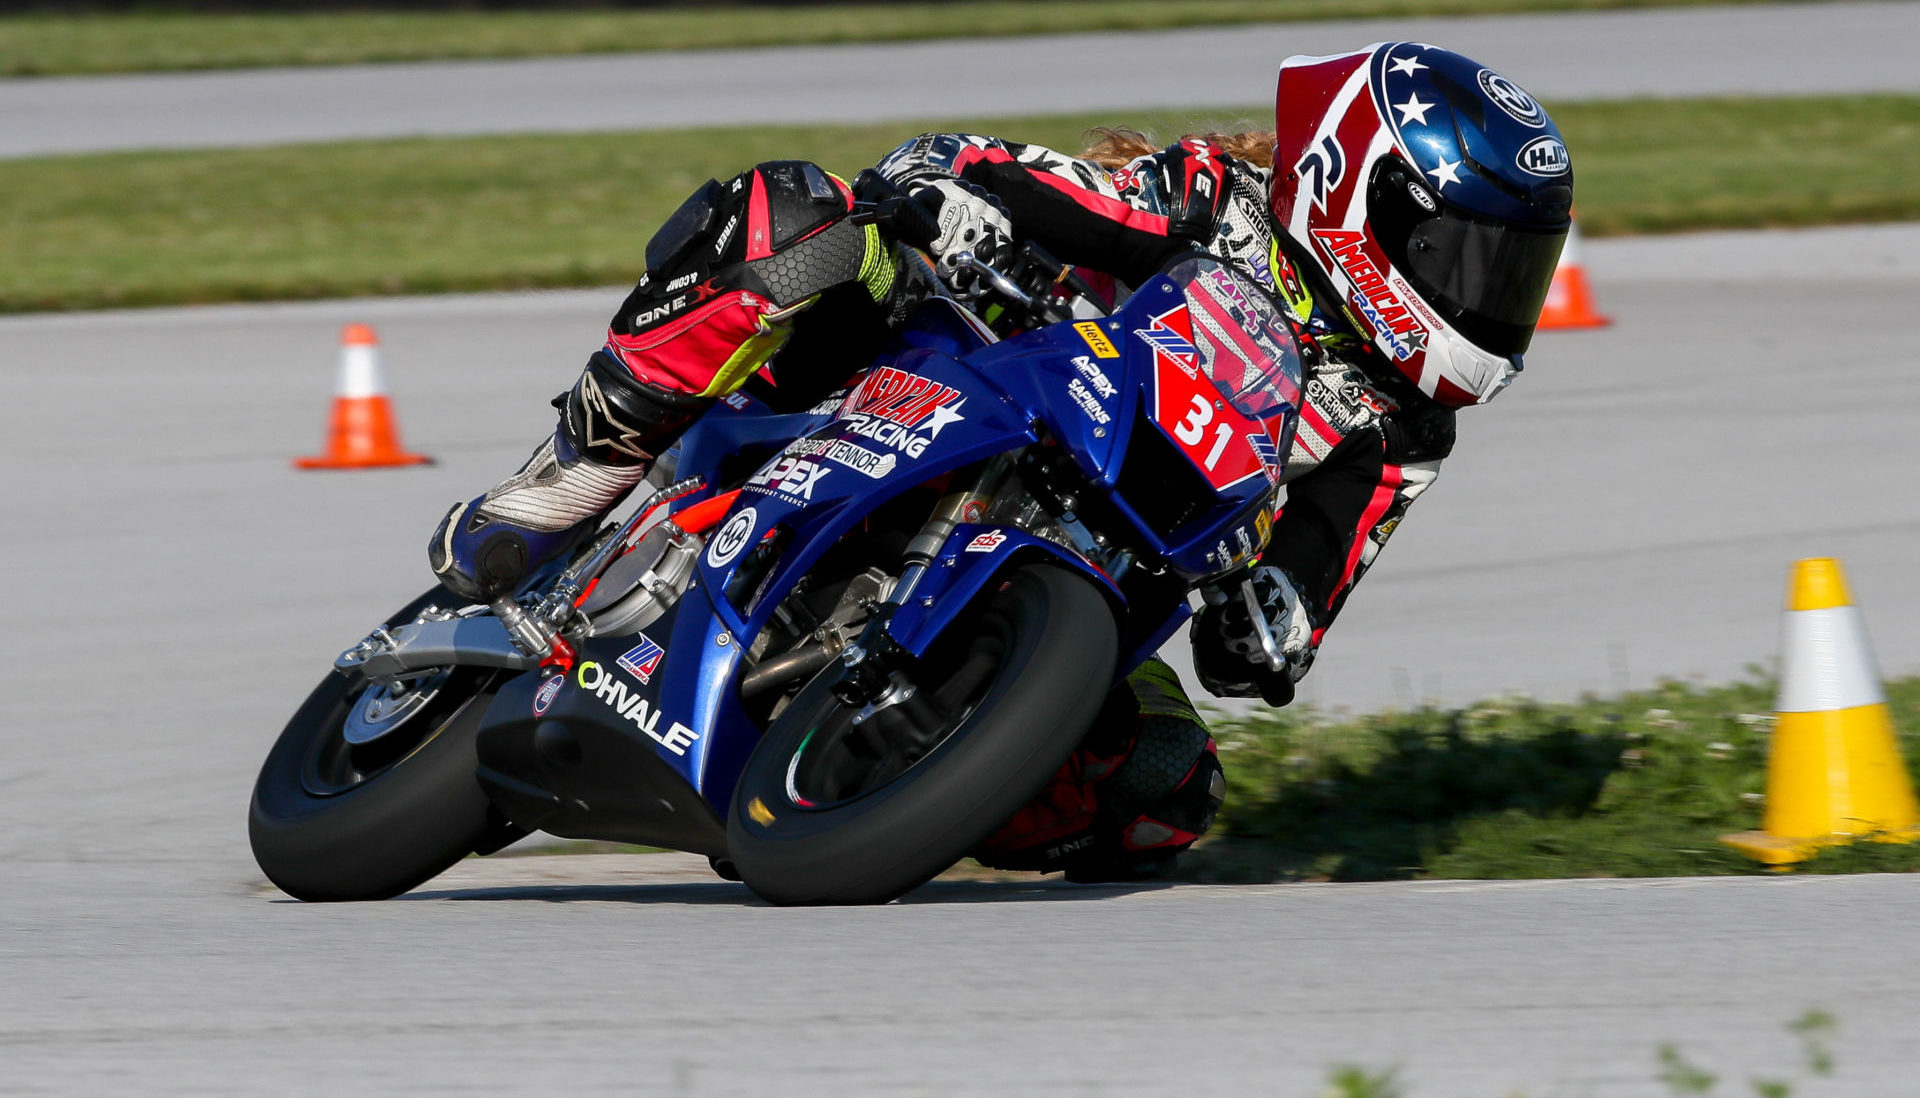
(385, 218)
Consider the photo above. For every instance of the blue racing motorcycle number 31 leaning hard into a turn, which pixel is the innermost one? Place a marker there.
(832, 648)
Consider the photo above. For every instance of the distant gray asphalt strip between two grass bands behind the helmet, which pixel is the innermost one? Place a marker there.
(1564, 57)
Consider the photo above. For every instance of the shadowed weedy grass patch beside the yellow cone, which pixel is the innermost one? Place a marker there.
(1641, 786)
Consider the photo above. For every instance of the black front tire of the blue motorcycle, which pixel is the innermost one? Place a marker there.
(1055, 650)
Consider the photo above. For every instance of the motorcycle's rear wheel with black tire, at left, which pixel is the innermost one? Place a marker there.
(375, 834)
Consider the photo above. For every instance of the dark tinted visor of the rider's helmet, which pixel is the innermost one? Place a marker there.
(1487, 277)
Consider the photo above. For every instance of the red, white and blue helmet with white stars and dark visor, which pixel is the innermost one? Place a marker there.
(1435, 197)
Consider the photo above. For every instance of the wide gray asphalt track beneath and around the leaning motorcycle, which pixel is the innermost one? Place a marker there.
(1629, 510)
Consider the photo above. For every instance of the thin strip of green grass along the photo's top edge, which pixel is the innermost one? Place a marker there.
(64, 45)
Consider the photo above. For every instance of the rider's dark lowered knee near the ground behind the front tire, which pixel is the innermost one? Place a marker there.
(1141, 790)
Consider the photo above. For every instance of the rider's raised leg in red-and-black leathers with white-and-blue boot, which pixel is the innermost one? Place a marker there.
(727, 275)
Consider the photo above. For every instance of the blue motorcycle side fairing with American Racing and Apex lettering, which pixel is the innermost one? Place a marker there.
(961, 410)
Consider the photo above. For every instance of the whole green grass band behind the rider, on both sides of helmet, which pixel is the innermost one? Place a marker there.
(519, 212)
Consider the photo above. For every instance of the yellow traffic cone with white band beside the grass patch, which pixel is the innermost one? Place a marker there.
(1835, 773)
